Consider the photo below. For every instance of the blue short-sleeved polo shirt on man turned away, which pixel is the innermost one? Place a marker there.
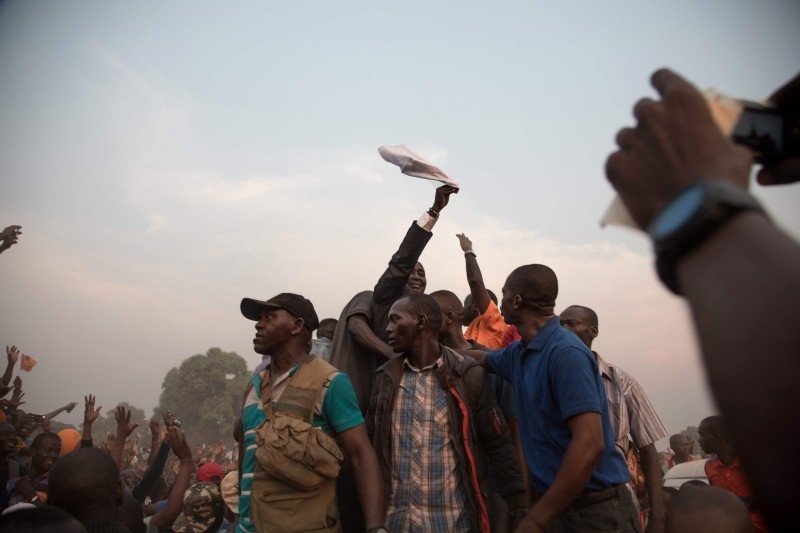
(556, 377)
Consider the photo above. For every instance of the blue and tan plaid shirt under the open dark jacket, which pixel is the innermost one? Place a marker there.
(427, 489)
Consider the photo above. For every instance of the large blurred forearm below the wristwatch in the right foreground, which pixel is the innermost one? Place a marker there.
(746, 274)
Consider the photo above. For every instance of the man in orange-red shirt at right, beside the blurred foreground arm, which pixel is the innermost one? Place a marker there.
(725, 471)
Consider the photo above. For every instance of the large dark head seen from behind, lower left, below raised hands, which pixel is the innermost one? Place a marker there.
(86, 484)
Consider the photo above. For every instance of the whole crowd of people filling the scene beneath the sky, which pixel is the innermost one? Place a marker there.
(425, 412)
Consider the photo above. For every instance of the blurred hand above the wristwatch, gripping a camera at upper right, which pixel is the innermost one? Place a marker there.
(675, 144)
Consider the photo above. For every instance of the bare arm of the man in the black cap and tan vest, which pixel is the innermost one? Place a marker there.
(367, 474)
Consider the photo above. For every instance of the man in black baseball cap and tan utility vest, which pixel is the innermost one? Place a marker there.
(323, 396)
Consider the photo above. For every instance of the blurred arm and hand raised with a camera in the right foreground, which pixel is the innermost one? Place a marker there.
(745, 273)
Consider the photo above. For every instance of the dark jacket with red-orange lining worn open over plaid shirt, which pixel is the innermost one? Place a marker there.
(473, 412)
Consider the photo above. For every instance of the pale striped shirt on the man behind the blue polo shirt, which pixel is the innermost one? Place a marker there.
(629, 408)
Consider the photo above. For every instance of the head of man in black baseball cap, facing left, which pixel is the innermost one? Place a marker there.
(283, 318)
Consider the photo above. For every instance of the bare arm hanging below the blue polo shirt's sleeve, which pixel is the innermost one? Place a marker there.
(580, 460)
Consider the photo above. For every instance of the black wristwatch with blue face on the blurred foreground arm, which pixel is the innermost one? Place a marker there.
(690, 218)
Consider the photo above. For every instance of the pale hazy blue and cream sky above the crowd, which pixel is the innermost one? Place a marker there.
(166, 159)
